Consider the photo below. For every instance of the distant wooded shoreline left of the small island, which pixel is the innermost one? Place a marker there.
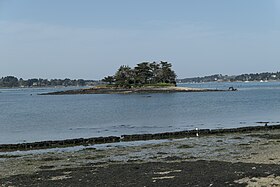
(11, 81)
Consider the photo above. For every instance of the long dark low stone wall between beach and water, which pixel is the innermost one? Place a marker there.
(134, 137)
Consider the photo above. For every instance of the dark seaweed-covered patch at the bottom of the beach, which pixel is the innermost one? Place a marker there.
(197, 173)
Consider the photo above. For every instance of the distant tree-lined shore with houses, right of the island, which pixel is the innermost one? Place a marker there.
(243, 77)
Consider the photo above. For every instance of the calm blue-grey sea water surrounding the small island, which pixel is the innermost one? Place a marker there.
(27, 117)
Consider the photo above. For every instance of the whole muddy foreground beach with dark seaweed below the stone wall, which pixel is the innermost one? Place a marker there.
(231, 159)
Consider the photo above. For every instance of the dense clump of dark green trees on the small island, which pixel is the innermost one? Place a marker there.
(143, 74)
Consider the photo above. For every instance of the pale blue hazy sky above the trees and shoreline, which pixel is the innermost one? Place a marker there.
(90, 39)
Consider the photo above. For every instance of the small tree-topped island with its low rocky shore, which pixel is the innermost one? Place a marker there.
(146, 77)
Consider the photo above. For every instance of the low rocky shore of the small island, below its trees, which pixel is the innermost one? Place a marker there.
(104, 90)
